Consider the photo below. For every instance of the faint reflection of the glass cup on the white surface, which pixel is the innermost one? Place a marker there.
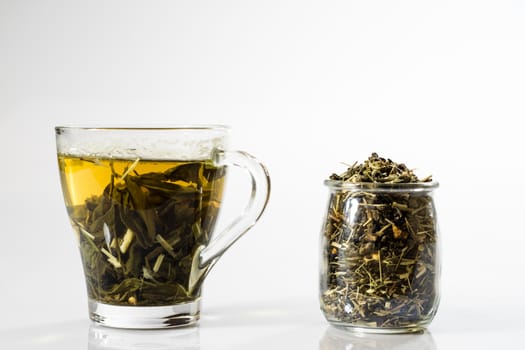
(100, 337)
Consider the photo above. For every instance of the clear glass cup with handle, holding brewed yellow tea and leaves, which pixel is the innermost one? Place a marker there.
(143, 203)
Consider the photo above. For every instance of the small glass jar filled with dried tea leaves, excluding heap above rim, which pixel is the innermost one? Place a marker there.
(379, 260)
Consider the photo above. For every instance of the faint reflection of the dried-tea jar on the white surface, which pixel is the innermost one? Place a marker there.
(339, 339)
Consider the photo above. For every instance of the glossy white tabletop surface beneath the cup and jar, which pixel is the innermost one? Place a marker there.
(282, 325)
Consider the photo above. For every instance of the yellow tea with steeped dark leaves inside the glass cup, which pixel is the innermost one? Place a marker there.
(140, 225)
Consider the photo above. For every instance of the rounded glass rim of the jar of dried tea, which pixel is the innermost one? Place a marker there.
(381, 186)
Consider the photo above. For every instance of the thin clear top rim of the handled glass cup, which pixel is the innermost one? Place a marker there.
(176, 127)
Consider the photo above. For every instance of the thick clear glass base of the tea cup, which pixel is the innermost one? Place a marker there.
(144, 317)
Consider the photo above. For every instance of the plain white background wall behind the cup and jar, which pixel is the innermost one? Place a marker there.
(305, 86)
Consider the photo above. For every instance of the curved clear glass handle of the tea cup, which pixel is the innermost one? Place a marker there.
(252, 212)
